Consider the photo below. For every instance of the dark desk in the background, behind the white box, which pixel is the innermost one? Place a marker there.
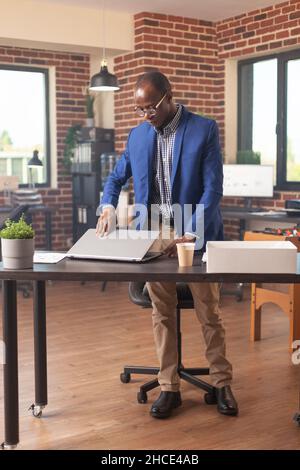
(245, 216)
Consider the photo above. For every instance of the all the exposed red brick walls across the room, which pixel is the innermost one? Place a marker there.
(190, 51)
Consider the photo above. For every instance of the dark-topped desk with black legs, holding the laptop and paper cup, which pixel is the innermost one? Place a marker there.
(162, 269)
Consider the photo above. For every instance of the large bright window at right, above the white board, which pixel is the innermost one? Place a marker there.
(269, 100)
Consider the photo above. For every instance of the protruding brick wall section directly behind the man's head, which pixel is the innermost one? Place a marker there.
(185, 49)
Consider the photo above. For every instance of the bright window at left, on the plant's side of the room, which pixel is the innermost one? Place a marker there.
(24, 123)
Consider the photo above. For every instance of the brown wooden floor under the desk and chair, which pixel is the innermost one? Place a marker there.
(92, 334)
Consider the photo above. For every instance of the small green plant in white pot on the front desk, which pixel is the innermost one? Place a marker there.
(17, 244)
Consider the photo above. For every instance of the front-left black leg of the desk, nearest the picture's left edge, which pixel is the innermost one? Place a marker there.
(10, 368)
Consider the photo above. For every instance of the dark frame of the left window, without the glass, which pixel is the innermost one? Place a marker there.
(45, 72)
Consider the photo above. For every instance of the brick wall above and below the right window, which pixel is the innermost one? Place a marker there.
(265, 31)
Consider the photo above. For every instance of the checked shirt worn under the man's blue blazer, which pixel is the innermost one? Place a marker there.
(162, 168)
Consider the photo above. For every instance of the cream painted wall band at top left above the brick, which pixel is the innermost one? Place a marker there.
(54, 23)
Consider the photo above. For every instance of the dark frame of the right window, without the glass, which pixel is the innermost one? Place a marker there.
(281, 128)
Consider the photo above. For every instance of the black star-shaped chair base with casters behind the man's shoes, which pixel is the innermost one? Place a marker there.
(188, 374)
